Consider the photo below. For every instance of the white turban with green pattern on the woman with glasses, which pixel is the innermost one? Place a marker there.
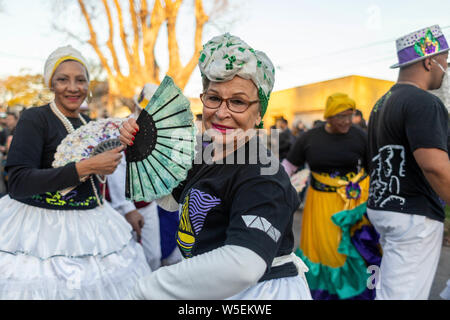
(226, 56)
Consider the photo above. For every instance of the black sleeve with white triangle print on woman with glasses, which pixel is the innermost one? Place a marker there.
(259, 214)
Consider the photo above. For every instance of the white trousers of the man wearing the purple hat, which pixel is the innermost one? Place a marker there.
(411, 249)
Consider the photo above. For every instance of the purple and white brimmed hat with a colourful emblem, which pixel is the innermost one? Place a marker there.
(420, 45)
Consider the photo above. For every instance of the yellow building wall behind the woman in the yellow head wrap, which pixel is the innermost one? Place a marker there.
(309, 100)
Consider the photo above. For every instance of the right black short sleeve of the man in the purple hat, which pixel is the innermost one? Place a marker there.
(426, 126)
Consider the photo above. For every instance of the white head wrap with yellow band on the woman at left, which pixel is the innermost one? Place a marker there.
(59, 56)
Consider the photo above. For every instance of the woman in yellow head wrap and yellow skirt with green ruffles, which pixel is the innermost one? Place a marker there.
(337, 242)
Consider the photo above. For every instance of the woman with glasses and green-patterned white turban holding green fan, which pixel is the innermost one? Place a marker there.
(235, 218)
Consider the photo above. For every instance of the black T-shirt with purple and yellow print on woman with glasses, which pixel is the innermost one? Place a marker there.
(238, 204)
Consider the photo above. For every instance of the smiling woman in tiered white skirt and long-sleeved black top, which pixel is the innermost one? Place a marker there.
(54, 245)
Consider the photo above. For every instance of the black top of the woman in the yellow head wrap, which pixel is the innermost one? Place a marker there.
(336, 154)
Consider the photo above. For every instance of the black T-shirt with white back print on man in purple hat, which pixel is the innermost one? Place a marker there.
(404, 119)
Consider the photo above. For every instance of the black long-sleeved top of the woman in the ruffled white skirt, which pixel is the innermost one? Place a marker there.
(31, 177)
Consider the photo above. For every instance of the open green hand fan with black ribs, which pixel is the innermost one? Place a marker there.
(164, 147)
